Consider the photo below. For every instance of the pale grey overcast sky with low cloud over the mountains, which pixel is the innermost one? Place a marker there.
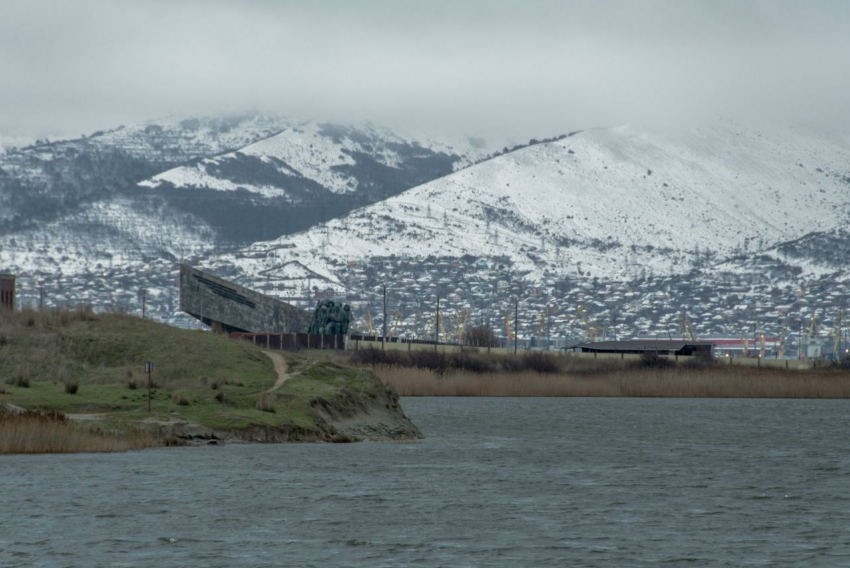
(518, 68)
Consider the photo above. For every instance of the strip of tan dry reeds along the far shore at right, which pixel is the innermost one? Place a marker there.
(676, 382)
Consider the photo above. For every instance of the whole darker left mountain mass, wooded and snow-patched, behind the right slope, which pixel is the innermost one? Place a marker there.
(123, 201)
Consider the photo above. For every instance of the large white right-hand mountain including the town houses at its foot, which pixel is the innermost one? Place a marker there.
(634, 225)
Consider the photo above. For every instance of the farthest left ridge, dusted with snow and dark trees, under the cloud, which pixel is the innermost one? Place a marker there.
(48, 179)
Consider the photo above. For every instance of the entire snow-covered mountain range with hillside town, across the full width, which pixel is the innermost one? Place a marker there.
(634, 225)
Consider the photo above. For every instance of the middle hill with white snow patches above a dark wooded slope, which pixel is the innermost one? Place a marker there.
(306, 174)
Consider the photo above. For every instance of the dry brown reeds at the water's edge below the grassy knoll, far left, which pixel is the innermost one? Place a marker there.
(38, 433)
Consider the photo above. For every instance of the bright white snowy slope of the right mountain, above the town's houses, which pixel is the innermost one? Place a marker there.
(601, 203)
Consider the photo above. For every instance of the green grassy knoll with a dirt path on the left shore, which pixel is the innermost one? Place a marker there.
(104, 352)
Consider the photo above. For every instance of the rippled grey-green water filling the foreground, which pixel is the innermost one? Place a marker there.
(514, 482)
